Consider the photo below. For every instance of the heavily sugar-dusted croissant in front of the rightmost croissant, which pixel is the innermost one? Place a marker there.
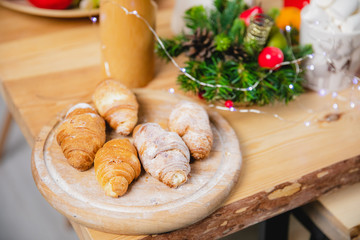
(163, 154)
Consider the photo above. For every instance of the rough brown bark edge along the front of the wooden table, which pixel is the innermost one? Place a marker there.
(238, 215)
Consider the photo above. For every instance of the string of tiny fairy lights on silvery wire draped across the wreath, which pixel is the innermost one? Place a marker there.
(352, 102)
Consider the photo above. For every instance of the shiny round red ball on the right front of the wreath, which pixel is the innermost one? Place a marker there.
(269, 57)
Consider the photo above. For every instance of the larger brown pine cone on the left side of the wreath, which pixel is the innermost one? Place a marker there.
(200, 45)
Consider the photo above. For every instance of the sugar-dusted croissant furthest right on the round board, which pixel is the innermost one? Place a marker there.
(191, 122)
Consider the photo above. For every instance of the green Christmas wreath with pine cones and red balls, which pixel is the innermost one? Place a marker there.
(224, 65)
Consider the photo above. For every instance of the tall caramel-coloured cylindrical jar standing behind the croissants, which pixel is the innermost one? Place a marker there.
(127, 44)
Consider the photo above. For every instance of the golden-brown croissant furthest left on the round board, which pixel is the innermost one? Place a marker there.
(80, 135)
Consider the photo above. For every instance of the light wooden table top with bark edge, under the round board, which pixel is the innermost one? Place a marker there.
(47, 64)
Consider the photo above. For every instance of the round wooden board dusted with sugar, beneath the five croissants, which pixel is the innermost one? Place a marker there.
(149, 206)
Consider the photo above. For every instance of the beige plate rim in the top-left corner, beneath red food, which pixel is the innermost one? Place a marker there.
(25, 7)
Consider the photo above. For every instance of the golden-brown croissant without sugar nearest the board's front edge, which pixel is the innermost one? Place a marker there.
(116, 166)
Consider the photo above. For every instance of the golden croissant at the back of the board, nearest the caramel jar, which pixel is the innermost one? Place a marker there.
(117, 104)
